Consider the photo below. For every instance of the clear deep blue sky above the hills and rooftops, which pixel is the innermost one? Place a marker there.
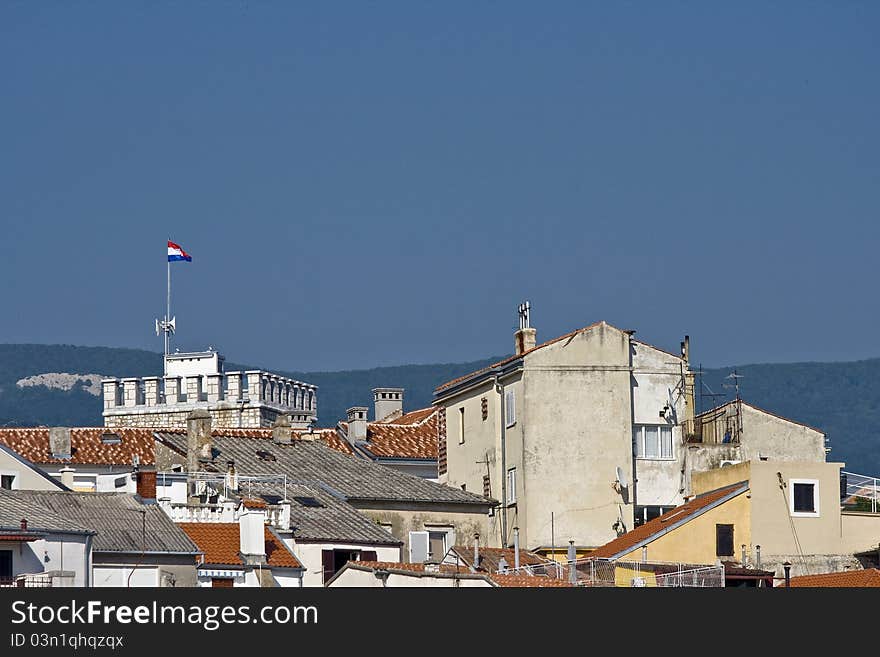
(365, 184)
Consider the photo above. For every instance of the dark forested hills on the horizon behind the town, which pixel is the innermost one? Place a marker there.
(841, 399)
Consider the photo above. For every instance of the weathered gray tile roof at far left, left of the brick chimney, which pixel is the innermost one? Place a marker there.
(118, 520)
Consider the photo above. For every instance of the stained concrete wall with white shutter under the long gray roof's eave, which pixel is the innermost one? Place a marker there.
(401, 521)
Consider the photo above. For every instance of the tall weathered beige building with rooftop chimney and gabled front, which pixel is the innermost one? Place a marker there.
(576, 436)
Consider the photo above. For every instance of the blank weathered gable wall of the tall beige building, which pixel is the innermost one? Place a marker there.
(578, 424)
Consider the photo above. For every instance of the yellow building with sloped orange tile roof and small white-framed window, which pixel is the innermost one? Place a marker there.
(757, 513)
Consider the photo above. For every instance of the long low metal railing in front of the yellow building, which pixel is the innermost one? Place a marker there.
(615, 573)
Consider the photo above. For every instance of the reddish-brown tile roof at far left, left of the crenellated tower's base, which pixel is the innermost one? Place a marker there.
(86, 446)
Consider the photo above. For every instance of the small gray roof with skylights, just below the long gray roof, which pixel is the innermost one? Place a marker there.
(332, 521)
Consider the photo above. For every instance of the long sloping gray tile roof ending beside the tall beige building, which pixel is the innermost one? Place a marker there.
(313, 461)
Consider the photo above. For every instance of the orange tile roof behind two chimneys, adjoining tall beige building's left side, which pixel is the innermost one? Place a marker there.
(411, 439)
